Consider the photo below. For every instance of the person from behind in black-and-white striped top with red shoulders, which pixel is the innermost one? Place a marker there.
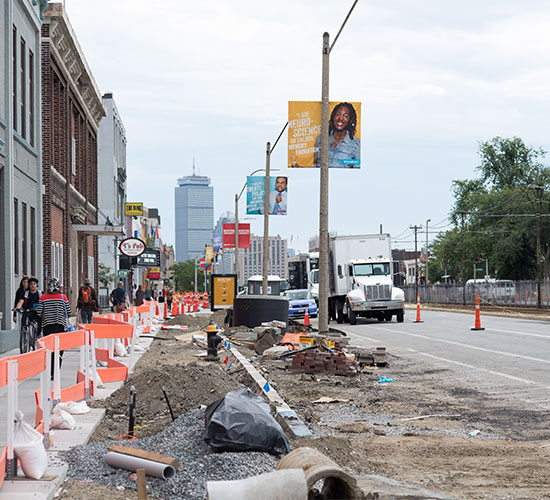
(54, 311)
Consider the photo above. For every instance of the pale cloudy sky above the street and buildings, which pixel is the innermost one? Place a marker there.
(213, 80)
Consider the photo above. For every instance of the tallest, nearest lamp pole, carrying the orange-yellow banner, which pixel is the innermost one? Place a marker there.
(323, 179)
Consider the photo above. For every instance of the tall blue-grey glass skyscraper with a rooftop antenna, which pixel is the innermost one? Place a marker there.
(194, 202)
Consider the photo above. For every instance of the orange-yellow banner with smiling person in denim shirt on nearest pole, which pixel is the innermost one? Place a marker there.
(304, 134)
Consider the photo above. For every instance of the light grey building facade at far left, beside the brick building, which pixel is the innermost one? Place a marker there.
(20, 151)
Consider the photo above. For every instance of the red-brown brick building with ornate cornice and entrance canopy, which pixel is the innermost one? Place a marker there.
(72, 108)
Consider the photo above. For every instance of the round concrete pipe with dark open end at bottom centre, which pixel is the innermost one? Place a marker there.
(337, 483)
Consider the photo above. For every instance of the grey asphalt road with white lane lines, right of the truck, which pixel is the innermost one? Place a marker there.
(509, 360)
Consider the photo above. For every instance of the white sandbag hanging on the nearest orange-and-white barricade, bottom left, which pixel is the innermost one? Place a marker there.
(29, 448)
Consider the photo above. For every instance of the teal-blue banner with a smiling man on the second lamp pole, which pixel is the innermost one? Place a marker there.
(278, 194)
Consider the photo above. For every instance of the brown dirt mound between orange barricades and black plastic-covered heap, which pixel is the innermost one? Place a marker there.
(187, 386)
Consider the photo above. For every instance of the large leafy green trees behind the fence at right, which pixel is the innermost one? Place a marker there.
(500, 224)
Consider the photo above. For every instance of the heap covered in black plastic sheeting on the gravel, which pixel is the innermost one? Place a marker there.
(241, 421)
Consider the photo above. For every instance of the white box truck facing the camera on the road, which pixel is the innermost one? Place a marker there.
(361, 279)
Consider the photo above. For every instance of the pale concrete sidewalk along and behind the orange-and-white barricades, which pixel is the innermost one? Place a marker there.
(23, 488)
